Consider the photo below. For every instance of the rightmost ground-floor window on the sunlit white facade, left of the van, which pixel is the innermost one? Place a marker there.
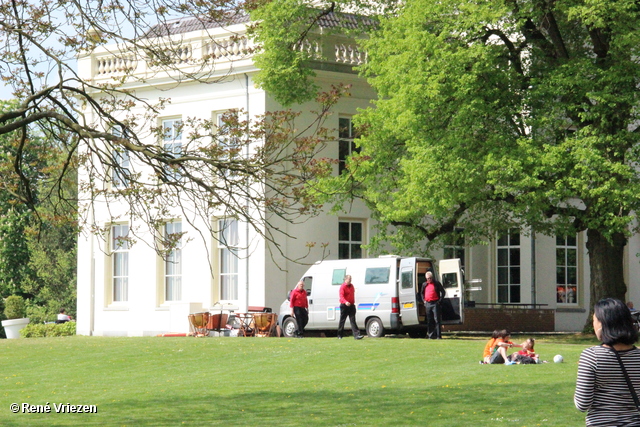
(229, 242)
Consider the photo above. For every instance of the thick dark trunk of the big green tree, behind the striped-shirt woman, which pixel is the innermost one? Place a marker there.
(606, 265)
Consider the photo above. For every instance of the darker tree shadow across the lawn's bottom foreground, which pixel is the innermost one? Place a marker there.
(514, 404)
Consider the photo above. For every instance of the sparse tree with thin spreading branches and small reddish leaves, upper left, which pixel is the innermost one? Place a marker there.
(95, 125)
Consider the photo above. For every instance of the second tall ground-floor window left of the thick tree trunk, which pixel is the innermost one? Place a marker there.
(509, 267)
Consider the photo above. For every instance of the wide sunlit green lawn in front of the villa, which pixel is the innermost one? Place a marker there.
(285, 382)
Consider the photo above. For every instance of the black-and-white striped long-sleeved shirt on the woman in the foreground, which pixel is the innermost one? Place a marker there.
(602, 390)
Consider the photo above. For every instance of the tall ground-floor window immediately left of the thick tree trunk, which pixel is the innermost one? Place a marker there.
(566, 270)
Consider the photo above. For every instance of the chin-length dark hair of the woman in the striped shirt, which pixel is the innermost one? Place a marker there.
(617, 324)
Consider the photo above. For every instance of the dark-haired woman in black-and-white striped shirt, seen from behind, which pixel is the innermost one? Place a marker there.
(601, 388)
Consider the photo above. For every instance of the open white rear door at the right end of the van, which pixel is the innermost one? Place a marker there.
(452, 279)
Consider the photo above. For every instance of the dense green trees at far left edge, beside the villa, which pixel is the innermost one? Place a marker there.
(37, 252)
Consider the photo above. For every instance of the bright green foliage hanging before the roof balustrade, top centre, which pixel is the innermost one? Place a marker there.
(292, 41)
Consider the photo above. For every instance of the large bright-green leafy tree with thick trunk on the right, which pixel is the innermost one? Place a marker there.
(511, 113)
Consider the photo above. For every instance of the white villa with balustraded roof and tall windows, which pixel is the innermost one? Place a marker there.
(129, 290)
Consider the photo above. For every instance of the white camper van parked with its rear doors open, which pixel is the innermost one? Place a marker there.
(386, 293)
